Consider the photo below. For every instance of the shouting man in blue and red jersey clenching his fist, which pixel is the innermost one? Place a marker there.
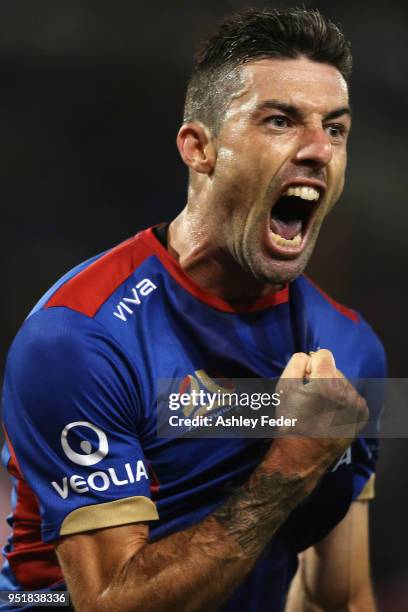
(142, 522)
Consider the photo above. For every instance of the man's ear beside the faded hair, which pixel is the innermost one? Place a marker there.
(196, 147)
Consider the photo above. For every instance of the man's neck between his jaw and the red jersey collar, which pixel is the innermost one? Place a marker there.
(198, 247)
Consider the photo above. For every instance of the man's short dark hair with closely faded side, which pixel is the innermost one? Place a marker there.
(257, 34)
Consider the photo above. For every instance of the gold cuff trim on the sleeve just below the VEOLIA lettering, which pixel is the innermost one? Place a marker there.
(109, 514)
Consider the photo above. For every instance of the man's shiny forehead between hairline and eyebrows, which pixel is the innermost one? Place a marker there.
(309, 85)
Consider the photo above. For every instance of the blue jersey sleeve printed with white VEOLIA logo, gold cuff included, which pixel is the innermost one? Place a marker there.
(72, 412)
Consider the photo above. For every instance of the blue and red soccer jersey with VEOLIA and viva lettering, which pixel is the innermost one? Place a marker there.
(80, 410)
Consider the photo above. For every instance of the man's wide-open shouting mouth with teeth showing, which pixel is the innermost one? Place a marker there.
(291, 216)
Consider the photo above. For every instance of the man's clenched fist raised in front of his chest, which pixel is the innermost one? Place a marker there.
(329, 412)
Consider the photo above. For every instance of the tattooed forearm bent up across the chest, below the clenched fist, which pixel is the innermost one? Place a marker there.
(197, 569)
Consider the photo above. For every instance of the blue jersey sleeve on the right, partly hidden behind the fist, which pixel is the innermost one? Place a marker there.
(371, 385)
